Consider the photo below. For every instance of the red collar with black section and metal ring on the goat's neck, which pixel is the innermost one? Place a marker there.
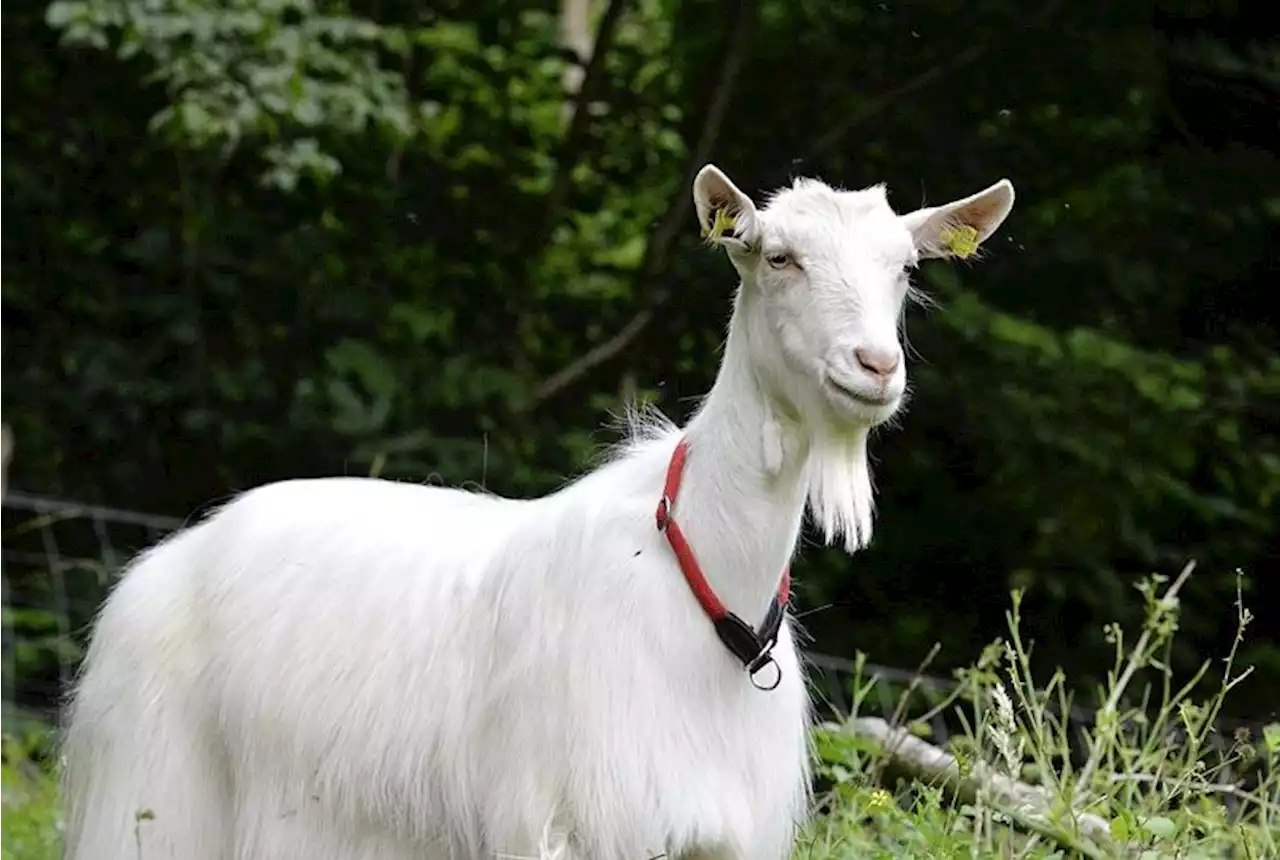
(755, 648)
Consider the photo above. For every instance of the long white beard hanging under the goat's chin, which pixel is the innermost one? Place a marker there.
(840, 483)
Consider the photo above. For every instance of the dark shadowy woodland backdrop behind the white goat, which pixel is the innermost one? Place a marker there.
(273, 241)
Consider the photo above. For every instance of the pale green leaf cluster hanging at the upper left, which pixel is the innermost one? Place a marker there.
(269, 74)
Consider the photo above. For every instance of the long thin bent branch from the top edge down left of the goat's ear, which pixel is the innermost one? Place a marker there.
(657, 251)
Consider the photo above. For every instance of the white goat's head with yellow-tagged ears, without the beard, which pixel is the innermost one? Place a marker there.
(825, 278)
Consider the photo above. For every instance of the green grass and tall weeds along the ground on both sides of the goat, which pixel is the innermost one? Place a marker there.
(1148, 777)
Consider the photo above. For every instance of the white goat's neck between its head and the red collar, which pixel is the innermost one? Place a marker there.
(746, 483)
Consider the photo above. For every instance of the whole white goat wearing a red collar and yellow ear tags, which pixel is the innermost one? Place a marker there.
(362, 670)
